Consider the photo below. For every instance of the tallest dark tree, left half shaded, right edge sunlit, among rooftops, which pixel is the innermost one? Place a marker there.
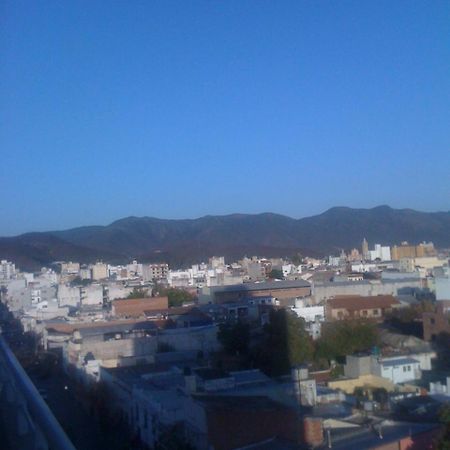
(286, 343)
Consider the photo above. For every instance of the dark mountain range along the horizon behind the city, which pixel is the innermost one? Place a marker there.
(182, 242)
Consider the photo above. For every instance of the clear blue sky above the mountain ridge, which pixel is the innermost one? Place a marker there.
(178, 109)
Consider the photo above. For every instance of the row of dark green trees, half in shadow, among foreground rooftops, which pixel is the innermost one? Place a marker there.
(285, 342)
